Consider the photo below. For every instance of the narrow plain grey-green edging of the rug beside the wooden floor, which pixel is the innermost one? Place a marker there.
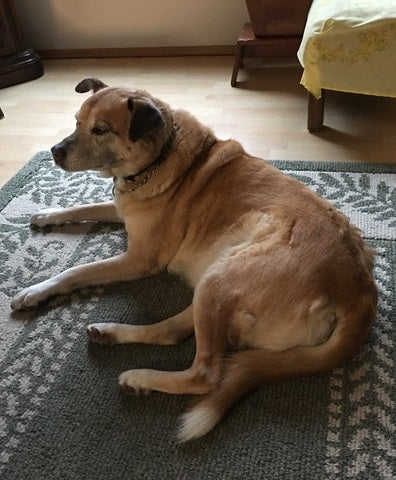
(7, 192)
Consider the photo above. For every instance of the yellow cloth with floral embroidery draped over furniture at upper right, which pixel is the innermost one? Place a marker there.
(350, 46)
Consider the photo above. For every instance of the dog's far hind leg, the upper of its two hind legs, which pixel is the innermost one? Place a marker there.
(168, 332)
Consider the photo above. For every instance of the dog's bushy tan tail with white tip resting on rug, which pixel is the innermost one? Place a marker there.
(246, 370)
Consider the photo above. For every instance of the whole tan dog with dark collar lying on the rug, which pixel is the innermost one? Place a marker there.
(282, 282)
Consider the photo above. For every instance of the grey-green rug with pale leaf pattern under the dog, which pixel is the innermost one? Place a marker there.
(62, 415)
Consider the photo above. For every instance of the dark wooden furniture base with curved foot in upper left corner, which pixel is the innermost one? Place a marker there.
(18, 63)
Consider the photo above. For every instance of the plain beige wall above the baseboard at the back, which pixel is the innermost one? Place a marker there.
(69, 24)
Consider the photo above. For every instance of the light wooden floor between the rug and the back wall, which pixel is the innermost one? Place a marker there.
(267, 112)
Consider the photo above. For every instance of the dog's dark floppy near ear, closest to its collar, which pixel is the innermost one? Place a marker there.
(146, 119)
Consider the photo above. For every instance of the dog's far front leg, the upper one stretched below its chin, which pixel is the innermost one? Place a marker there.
(96, 212)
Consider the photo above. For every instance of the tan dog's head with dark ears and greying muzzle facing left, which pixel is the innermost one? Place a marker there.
(118, 131)
